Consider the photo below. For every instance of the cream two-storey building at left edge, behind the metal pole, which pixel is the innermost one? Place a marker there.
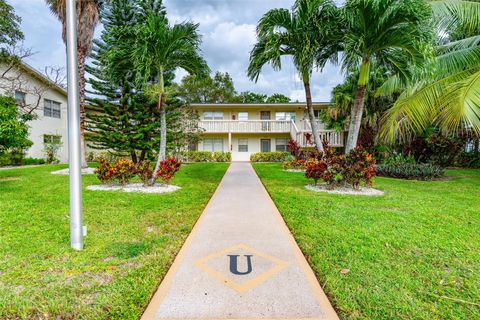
(45, 99)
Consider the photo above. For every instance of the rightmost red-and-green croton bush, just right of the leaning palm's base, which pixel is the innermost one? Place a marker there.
(359, 168)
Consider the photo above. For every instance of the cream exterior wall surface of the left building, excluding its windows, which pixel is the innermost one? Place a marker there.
(42, 125)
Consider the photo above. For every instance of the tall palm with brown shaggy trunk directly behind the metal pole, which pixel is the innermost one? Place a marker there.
(87, 20)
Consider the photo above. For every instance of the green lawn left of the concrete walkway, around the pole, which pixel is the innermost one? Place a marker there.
(132, 240)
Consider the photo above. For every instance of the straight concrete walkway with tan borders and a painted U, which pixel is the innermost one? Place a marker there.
(240, 262)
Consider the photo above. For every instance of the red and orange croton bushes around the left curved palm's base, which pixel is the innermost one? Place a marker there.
(124, 170)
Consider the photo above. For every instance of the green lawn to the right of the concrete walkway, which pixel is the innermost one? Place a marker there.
(412, 254)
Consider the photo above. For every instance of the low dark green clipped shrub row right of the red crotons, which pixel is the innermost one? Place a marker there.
(420, 171)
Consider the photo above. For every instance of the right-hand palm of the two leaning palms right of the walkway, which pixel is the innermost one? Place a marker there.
(385, 32)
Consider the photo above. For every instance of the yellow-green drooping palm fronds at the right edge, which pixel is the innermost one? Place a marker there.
(448, 97)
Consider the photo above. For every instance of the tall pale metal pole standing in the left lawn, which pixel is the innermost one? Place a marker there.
(74, 150)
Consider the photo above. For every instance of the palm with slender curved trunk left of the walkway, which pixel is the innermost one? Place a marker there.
(160, 49)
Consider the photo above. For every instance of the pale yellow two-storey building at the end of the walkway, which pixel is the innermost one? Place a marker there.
(244, 129)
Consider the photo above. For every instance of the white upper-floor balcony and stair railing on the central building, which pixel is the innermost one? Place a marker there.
(296, 129)
